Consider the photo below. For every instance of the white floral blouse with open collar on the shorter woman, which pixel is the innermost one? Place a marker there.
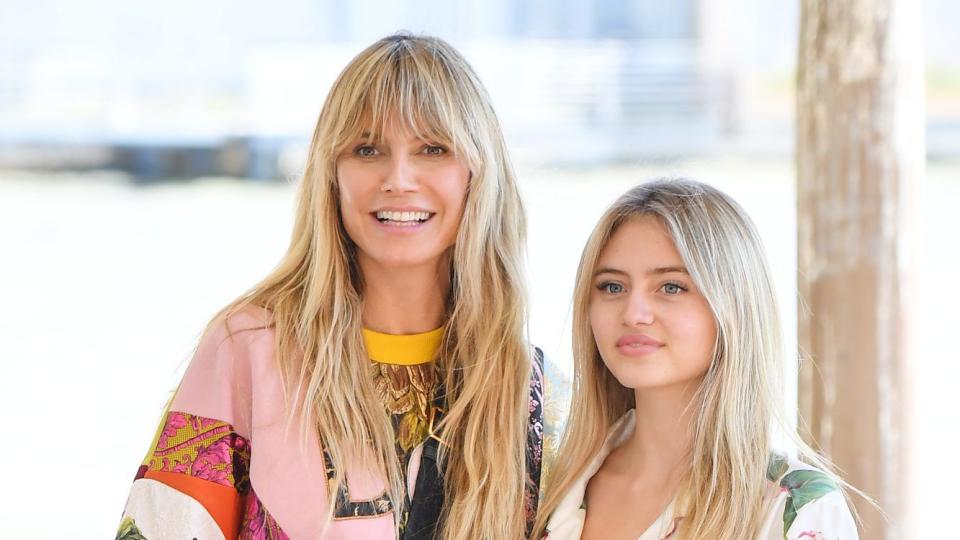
(802, 503)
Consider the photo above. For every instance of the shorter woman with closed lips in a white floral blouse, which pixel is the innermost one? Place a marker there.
(678, 355)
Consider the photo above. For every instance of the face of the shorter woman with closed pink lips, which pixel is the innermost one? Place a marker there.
(652, 326)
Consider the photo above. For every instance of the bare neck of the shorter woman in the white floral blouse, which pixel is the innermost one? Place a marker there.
(663, 435)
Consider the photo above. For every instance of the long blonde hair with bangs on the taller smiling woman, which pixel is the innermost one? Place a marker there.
(316, 292)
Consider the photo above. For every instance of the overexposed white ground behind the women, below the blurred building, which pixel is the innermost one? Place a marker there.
(106, 287)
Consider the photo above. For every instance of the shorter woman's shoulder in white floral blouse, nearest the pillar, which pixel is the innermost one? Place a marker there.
(814, 505)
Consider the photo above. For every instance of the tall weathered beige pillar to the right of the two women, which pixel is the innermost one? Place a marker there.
(860, 155)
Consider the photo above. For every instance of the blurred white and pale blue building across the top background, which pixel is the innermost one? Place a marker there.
(573, 80)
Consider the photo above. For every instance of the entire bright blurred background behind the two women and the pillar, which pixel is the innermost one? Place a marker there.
(149, 152)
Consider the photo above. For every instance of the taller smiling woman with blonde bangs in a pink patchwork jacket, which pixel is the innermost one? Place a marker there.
(378, 383)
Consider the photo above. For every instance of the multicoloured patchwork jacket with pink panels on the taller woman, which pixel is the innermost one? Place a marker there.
(228, 462)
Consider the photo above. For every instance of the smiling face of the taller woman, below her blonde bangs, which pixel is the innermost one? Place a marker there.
(401, 198)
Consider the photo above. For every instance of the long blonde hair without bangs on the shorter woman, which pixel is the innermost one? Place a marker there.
(738, 402)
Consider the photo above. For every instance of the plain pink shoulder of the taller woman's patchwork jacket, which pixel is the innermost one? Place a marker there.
(235, 354)
